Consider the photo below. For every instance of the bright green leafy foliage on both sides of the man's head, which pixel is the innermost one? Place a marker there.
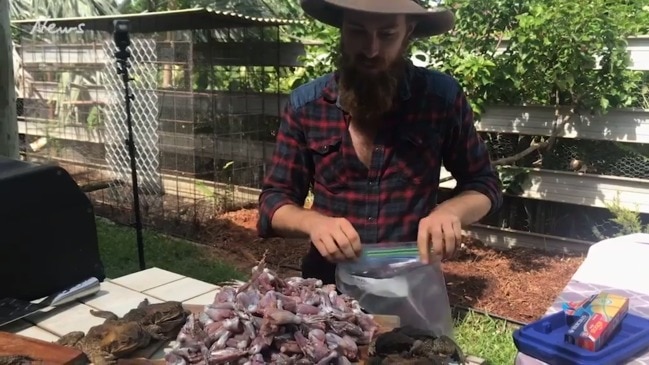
(547, 52)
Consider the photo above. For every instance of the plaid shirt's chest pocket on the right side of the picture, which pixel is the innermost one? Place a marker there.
(417, 158)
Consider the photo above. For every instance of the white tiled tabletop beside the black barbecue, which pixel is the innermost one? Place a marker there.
(116, 295)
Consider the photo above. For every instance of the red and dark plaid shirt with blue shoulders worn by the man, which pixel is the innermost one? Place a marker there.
(433, 124)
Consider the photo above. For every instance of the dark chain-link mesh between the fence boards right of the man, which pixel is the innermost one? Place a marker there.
(587, 156)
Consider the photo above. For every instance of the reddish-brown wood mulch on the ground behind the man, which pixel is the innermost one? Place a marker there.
(518, 284)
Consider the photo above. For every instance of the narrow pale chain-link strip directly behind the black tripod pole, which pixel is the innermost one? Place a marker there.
(144, 114)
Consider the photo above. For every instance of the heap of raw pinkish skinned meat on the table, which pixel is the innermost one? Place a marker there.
(274, 320)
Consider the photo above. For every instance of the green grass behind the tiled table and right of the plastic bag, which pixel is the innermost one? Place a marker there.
(478, 335)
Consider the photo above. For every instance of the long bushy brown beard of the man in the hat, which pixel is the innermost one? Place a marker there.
(368, 96)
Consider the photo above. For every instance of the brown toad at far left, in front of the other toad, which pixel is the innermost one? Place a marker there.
(105, 343)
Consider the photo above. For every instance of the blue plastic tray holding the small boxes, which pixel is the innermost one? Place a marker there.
(544, 340)
